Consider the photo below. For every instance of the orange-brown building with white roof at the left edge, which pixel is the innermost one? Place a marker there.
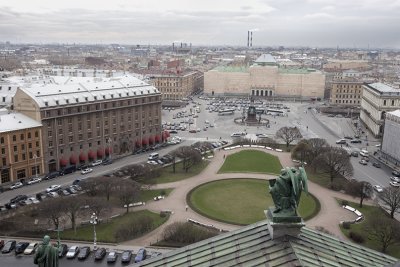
(21, 147)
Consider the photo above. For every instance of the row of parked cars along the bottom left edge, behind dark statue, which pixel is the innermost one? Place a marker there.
(81, 253)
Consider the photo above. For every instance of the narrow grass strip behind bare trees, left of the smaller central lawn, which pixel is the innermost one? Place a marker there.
(168, 176)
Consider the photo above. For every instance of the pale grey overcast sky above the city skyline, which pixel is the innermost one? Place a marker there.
(347, 23)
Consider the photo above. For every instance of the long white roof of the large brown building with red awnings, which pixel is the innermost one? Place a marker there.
(63, 90)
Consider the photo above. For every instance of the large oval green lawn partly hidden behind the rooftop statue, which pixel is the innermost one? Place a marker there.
(240, 201)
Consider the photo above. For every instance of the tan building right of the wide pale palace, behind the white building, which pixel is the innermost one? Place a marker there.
(346, 93)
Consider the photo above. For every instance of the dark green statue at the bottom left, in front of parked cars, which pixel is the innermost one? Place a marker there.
(46, 254)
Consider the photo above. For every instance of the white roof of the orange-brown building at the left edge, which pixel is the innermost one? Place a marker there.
(16, 121)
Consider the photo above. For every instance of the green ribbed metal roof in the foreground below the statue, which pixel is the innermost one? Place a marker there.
(252, 246)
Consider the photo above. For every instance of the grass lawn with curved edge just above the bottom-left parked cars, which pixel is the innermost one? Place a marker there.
(106, 231)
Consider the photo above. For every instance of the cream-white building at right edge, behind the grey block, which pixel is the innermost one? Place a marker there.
(377, 99)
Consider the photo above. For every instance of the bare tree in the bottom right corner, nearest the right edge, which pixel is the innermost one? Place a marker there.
(383, 230)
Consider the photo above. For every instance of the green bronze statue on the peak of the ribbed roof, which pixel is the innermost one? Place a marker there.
(286, 190)
